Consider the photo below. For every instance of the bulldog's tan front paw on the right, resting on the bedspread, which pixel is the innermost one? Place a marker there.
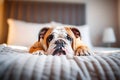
(82, 51)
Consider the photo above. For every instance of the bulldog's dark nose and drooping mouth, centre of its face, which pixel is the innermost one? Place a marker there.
(59, 48)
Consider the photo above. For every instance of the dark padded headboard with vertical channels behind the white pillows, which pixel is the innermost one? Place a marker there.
(42, 12)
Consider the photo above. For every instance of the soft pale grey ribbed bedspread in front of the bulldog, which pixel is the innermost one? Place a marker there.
(14, 65)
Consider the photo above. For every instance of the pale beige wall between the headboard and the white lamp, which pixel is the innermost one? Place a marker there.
(100, 14)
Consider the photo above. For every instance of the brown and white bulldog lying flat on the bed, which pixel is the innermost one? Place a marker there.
(60, 41)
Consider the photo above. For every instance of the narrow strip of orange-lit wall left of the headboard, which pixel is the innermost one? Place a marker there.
(1, 18)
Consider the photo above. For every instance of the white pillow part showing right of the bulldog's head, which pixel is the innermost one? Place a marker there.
(85, 33)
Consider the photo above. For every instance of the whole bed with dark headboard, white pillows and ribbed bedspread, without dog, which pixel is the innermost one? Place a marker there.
(24, 17)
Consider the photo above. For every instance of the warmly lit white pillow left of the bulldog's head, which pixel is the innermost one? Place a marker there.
(23, 33)
